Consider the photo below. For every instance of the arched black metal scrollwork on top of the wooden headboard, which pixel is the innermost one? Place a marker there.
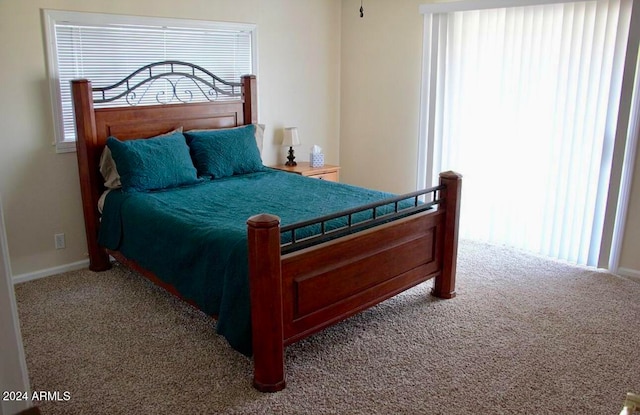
(166, 82)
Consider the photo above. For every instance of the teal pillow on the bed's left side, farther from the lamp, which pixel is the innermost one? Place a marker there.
(153, 163)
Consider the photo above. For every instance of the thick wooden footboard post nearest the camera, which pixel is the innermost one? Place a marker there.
(265, 283)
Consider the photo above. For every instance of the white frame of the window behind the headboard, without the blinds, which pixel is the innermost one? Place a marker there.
(52, 17)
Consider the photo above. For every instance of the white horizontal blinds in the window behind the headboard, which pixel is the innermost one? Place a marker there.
(105, 54)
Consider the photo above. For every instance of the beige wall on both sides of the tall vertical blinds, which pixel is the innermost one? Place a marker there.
(380, 98)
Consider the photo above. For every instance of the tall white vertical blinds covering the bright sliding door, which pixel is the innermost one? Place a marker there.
(523, 101)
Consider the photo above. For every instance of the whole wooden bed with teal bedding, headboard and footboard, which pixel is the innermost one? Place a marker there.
(291, 271)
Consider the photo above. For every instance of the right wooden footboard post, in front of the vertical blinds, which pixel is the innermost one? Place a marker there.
(445, 283)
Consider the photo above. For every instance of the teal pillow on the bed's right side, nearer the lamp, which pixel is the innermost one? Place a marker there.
(225, 152)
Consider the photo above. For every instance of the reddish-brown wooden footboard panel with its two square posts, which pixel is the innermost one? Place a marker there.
(299, 293)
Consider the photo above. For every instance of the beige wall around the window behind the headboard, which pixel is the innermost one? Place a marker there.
(298, 81)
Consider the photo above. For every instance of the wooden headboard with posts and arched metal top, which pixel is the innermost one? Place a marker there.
(95, 125)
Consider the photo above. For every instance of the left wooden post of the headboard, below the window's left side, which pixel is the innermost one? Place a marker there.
(88, 170)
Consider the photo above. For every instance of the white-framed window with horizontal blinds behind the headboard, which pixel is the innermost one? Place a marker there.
(106, 48)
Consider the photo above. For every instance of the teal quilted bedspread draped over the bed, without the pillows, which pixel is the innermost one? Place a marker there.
(195, 237)
